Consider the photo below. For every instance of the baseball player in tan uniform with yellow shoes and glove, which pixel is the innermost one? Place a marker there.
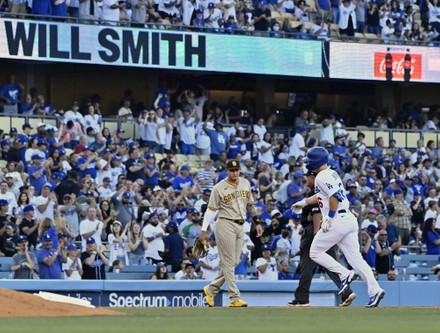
(232, 199)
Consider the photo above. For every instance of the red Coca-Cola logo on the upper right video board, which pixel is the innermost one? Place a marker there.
(398, 68)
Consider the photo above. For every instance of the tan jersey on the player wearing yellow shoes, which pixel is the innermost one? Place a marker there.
(231, 200)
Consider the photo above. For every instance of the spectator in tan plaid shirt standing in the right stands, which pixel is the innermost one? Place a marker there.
(401, 217)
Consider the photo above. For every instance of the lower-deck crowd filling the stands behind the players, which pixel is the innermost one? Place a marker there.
(76, 198)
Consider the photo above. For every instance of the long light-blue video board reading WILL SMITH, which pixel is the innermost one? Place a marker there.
(180, 50)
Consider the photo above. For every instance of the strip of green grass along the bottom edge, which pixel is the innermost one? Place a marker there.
(240, 320)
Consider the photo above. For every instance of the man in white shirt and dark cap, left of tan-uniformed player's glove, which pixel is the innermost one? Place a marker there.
(154, 234)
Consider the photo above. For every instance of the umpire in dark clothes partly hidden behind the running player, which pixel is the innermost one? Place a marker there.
(310, 221)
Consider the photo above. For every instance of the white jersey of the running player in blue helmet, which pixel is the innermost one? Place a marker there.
(327, 184)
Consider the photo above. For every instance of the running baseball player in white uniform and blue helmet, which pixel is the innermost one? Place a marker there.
(338, 226)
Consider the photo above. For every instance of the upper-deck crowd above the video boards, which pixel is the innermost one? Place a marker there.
(390, 20)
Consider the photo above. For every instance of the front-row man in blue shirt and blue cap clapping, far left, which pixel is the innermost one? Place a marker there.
(50, 260)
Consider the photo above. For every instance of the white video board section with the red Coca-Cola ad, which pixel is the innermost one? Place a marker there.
(383, 62)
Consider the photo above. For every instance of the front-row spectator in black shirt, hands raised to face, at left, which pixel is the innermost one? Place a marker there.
(93, 260)
